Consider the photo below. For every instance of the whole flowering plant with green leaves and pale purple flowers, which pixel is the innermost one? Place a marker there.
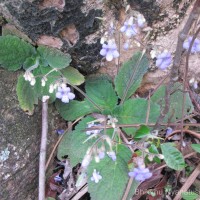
(112, 141)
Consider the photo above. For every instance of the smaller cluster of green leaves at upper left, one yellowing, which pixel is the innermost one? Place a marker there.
(15, 53)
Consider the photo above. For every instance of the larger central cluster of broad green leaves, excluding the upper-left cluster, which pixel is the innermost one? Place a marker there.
(103, 98)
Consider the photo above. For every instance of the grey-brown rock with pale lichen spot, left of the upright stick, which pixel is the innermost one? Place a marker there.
(19, 143)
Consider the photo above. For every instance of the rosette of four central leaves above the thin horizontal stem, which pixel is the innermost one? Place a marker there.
(102, 97)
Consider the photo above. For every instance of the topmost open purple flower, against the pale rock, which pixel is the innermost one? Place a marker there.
(129, 28)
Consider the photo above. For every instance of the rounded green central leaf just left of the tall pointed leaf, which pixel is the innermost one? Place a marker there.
(101, 91)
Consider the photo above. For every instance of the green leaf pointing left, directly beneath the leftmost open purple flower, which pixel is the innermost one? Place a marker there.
(74, 109)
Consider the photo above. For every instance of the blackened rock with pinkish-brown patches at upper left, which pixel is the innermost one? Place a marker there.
(66, 24)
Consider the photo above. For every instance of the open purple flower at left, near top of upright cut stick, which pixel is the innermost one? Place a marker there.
(64, 93)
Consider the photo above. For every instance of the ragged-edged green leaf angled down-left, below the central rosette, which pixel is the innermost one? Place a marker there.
(72, 143)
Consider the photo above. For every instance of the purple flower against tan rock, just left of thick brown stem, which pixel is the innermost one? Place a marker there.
(163, 60)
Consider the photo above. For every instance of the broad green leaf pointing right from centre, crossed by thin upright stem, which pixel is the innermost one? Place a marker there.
(134, 111)
